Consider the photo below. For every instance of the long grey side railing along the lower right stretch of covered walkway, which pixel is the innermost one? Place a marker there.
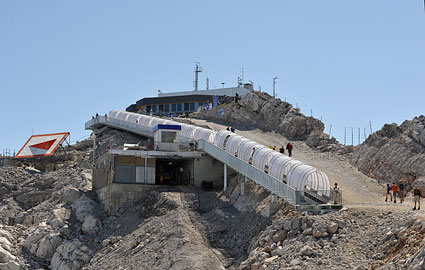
(268, 182)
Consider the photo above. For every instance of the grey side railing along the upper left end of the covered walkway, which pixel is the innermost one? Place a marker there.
(120, 124)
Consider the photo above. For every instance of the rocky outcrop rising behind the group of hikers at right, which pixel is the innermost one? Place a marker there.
(395, 153)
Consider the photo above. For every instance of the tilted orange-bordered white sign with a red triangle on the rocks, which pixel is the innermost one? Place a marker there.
(41, 145)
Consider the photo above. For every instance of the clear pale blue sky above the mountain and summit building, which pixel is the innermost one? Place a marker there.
(352, 64)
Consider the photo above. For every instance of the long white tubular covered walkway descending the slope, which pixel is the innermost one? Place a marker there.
(286, 177)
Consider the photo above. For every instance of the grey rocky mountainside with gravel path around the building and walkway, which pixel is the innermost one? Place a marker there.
(50, 218)
